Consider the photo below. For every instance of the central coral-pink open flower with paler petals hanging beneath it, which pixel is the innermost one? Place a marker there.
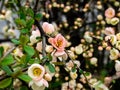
(59, 43)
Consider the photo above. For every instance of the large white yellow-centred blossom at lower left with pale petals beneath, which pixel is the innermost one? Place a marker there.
(36, 72)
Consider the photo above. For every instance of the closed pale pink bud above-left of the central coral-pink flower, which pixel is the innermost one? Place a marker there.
(48, 28)
